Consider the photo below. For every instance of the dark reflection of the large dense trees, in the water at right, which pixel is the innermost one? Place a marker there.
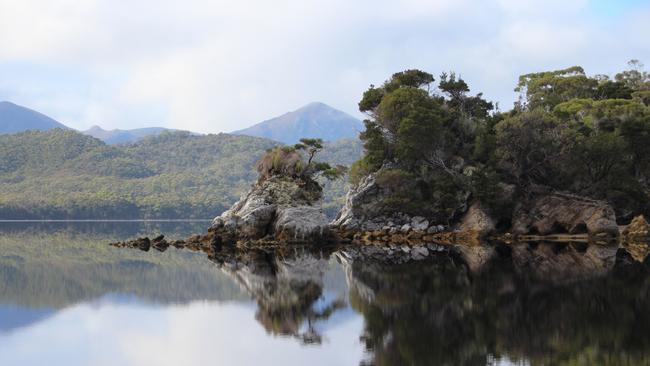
(437, 313)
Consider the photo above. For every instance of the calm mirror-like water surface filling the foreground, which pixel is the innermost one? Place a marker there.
(67, 298)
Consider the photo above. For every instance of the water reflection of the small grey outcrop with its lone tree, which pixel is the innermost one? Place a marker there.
(286, 285)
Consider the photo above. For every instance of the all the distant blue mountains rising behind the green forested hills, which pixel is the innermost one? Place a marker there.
(316, 120)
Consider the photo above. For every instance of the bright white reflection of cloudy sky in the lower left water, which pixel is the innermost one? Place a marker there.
(198, 333)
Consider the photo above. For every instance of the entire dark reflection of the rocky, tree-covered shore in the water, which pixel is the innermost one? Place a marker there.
(537, 302)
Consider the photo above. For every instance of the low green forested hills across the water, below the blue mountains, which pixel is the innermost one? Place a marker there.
(63, 174)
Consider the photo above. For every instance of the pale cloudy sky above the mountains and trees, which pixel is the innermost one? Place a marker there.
(220, 65)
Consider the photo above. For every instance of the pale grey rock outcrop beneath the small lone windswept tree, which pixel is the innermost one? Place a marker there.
(278, 208)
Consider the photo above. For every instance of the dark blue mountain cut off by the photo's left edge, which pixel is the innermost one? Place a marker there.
(15, 118)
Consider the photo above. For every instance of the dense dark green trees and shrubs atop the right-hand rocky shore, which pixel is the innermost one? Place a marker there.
(435, 147)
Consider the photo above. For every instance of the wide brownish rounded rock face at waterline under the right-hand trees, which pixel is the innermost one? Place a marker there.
(559, 213)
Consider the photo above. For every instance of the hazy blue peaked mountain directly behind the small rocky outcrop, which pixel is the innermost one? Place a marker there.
(313, 120)
